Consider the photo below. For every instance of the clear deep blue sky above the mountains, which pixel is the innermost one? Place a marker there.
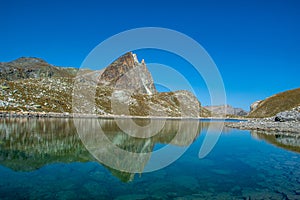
(255, 44)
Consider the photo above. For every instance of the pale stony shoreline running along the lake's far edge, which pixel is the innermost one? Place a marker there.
(267, 125)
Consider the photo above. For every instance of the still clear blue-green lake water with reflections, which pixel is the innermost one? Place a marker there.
(45, 159)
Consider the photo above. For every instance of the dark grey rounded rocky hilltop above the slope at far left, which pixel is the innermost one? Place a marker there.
(29, 67)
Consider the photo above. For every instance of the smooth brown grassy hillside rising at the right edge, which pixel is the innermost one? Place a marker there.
(277, 103)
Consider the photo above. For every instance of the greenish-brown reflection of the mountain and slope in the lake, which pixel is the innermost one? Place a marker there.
(29, 144)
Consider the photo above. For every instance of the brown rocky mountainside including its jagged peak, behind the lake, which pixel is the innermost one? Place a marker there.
(32, 85)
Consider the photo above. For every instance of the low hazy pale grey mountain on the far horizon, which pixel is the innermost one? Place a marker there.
(229, 110)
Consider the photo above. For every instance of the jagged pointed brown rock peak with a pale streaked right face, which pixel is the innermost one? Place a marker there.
(129, 74)
